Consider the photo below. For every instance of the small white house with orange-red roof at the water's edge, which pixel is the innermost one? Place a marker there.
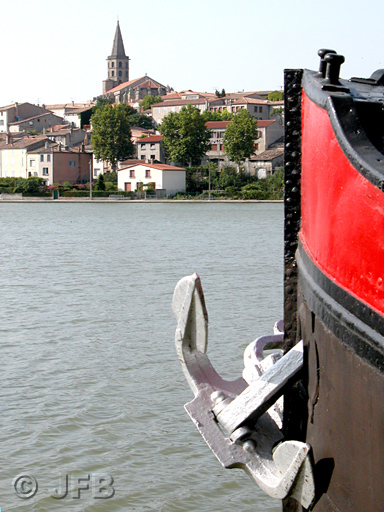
(167, 178)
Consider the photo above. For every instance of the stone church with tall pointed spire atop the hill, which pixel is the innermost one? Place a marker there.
(118, 87)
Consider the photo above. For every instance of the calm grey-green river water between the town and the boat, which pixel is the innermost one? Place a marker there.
(90, 382)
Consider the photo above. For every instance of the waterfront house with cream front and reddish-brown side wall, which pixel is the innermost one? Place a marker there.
(57, 165)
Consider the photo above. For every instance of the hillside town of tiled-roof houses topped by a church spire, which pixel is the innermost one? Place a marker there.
(62, 143)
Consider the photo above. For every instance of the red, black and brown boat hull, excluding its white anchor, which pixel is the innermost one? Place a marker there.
(334, 284)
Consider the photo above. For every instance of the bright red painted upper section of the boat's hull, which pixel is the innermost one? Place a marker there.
(342, 226)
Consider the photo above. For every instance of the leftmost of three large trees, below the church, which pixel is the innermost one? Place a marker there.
(111, 133)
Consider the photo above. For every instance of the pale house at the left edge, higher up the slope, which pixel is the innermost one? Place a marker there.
(13, 114)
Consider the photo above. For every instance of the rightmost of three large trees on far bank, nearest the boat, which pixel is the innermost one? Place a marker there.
(239, 137)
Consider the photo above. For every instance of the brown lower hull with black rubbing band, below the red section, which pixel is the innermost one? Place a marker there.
(343, 417)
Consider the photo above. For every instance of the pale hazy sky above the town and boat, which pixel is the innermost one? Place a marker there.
(54, 52)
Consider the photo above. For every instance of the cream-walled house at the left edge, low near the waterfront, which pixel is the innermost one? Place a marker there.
(13, 155)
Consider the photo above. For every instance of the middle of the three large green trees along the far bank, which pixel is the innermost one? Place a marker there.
(185, 136)
